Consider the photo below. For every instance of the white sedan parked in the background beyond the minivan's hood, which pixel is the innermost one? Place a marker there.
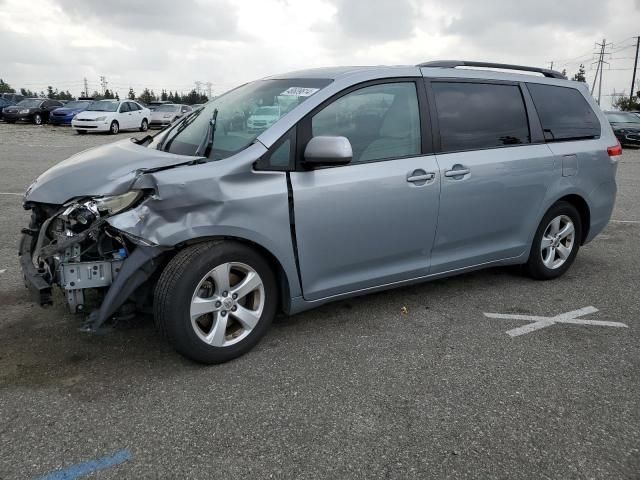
(112, 116)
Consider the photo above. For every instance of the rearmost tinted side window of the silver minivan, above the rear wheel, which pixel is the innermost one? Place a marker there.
(564, 113)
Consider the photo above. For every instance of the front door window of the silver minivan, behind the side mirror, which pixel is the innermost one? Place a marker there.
(381, 121)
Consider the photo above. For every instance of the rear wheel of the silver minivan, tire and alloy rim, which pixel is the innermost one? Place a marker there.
(554, 246)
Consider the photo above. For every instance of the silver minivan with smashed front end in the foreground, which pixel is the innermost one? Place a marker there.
(369, 178)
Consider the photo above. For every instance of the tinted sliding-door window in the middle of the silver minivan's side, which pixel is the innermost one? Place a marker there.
(474, 116)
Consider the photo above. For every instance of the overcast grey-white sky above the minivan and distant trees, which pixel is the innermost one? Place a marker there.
(171, 44)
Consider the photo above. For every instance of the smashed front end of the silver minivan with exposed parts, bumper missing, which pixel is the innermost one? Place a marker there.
(72, 246)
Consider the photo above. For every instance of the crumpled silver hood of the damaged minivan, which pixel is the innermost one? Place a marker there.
(106, 170)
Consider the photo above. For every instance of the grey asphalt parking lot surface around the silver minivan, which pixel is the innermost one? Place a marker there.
(410, 383)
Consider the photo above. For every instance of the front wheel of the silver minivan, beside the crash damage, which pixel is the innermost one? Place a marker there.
(191, 272)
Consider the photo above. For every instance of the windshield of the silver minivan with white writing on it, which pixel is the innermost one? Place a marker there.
(235, 130)
